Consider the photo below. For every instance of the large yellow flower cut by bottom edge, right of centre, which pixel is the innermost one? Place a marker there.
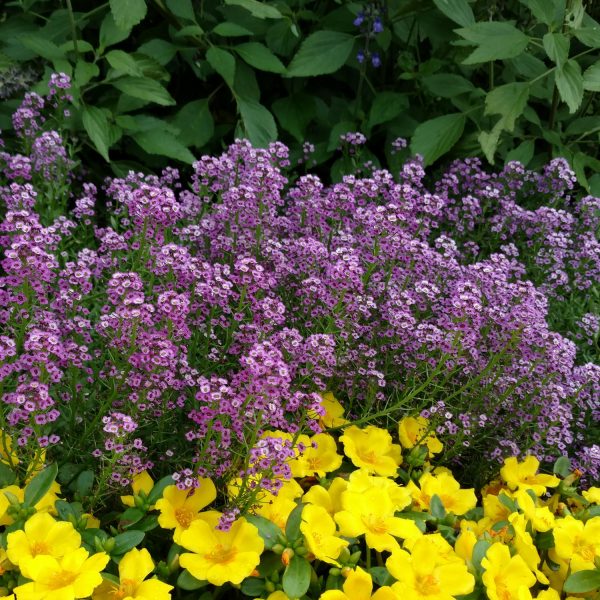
(425, 575)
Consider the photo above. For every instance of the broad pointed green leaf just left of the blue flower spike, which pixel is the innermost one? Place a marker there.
(320, 53)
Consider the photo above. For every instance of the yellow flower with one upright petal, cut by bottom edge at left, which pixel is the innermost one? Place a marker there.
(134, 567)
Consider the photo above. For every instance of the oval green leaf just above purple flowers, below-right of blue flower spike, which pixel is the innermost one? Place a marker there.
(435, 137)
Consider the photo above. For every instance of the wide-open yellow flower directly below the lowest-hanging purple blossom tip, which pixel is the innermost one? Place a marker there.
(220, 556)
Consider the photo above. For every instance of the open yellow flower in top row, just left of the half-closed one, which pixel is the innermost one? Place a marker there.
(372, 449)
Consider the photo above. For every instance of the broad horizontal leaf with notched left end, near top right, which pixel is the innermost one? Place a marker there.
(494, 41)
